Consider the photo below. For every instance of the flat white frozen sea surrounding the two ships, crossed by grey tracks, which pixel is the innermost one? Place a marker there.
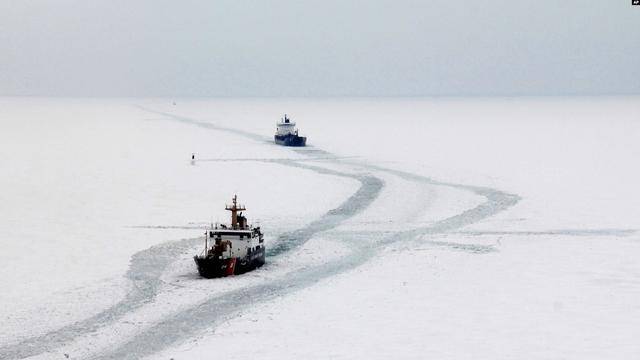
(448, 228)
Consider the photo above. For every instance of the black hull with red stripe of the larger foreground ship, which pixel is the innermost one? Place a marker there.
(214, 267)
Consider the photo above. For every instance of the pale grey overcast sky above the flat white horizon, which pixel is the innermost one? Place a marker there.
(318, 48)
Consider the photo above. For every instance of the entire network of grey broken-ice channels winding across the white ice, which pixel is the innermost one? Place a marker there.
(147, 266)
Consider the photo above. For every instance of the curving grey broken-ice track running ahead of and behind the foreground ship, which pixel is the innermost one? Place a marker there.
(147, 266)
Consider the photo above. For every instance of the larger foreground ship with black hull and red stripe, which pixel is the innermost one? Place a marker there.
(231, 249)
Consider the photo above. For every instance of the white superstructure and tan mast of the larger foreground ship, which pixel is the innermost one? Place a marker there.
(235, 240)
